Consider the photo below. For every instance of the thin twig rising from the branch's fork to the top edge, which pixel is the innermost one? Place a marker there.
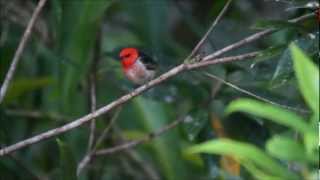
(205, 37)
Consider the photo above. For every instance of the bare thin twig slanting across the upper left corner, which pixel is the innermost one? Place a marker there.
(19, 50)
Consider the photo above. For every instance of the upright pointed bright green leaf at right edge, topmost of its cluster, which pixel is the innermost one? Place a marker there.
(308, 77)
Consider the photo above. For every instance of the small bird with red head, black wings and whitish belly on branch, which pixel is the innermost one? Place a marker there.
(137, 66)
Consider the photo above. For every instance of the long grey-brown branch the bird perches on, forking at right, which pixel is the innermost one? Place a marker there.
(210, 59)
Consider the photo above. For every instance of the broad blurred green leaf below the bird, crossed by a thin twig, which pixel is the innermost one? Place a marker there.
(166, 148)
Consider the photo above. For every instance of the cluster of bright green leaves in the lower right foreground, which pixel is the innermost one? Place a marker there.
(286, 148)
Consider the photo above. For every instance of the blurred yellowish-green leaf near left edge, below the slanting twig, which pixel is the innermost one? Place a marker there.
(22, 86)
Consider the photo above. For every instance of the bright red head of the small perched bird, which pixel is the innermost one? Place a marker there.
(128, 56)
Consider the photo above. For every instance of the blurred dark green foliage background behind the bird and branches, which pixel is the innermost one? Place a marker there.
(75, 40)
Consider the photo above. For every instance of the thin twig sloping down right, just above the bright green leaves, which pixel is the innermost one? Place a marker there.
(254, 95)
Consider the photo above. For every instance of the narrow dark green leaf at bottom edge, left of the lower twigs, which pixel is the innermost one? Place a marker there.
(67, 162)
